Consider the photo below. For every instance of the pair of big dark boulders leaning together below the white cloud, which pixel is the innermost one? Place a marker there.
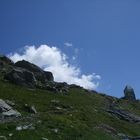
(27, 74)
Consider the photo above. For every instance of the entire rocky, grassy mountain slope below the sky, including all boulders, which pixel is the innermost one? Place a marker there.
(35, 107)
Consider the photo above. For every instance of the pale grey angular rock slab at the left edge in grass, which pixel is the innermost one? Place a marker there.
(7, 111)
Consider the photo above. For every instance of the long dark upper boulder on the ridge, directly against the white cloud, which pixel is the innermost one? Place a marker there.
(39, 74)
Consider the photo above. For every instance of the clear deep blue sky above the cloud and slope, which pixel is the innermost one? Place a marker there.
(104, 35)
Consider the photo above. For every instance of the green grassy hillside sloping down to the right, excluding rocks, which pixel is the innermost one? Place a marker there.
(77, 115)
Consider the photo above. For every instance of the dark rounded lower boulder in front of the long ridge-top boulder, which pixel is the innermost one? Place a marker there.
(22, 77)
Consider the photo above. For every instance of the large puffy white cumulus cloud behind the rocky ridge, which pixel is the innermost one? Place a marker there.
(52, 59)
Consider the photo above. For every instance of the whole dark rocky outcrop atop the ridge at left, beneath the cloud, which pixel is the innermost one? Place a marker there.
(29, 75)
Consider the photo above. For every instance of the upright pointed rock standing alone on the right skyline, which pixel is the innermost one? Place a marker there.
(129, 93)
